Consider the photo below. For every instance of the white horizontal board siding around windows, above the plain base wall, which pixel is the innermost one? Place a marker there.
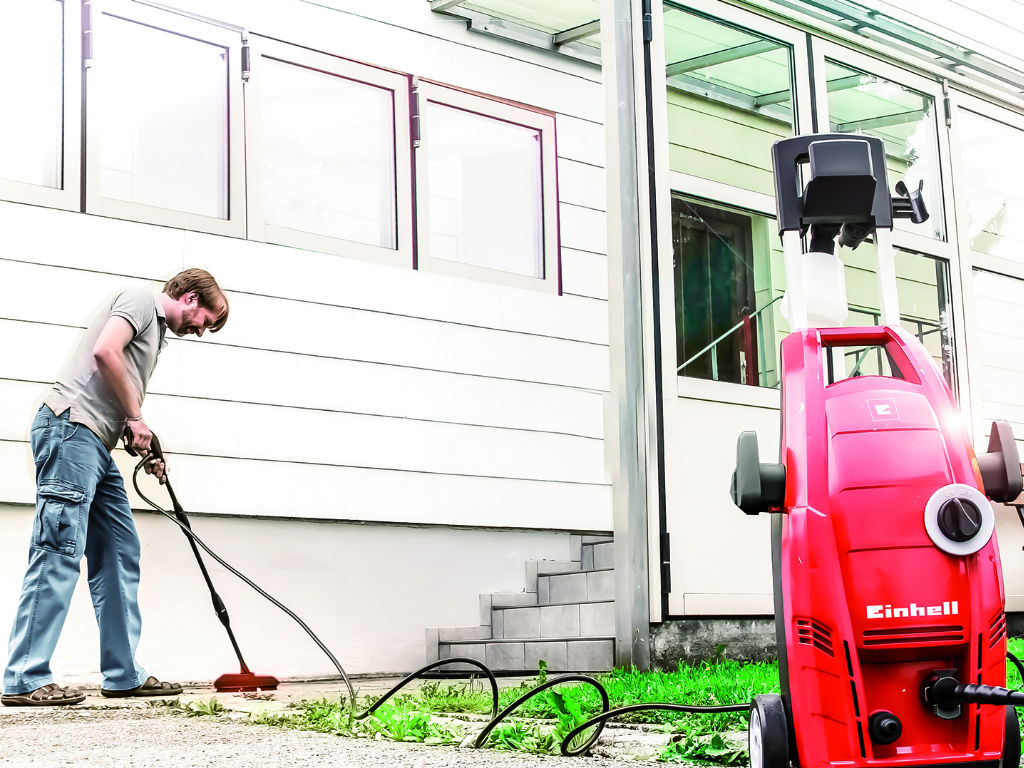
(342, 389)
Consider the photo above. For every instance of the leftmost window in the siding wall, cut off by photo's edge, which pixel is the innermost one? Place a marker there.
(38, 158)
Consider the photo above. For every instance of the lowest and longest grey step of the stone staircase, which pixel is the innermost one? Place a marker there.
(562, 655)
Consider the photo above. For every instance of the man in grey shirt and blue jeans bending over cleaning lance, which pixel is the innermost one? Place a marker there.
(81, 505)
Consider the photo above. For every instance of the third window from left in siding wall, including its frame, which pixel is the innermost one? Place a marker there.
(329, 157)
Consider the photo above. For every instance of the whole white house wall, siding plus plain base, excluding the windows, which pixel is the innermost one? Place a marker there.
(376, 445)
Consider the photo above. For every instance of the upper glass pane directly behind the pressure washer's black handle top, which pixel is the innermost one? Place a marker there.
(905, 119)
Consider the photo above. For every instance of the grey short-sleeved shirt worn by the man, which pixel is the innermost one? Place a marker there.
(82, 389)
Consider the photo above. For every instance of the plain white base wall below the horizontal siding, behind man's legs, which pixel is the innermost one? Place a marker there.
(368, 591)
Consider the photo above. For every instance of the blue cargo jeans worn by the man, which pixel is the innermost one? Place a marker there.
(81, 508)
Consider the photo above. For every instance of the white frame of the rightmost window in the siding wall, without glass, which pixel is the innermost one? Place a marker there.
(506, 112)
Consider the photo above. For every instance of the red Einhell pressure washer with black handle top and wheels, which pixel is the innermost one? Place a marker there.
(889, 600)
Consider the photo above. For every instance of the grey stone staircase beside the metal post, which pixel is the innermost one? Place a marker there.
(566, 617)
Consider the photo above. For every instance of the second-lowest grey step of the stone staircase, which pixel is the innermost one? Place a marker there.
(569, 620)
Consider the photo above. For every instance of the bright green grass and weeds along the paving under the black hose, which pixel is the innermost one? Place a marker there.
(540, 726)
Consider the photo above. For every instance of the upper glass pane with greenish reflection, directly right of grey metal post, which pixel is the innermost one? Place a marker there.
(730, 98)
